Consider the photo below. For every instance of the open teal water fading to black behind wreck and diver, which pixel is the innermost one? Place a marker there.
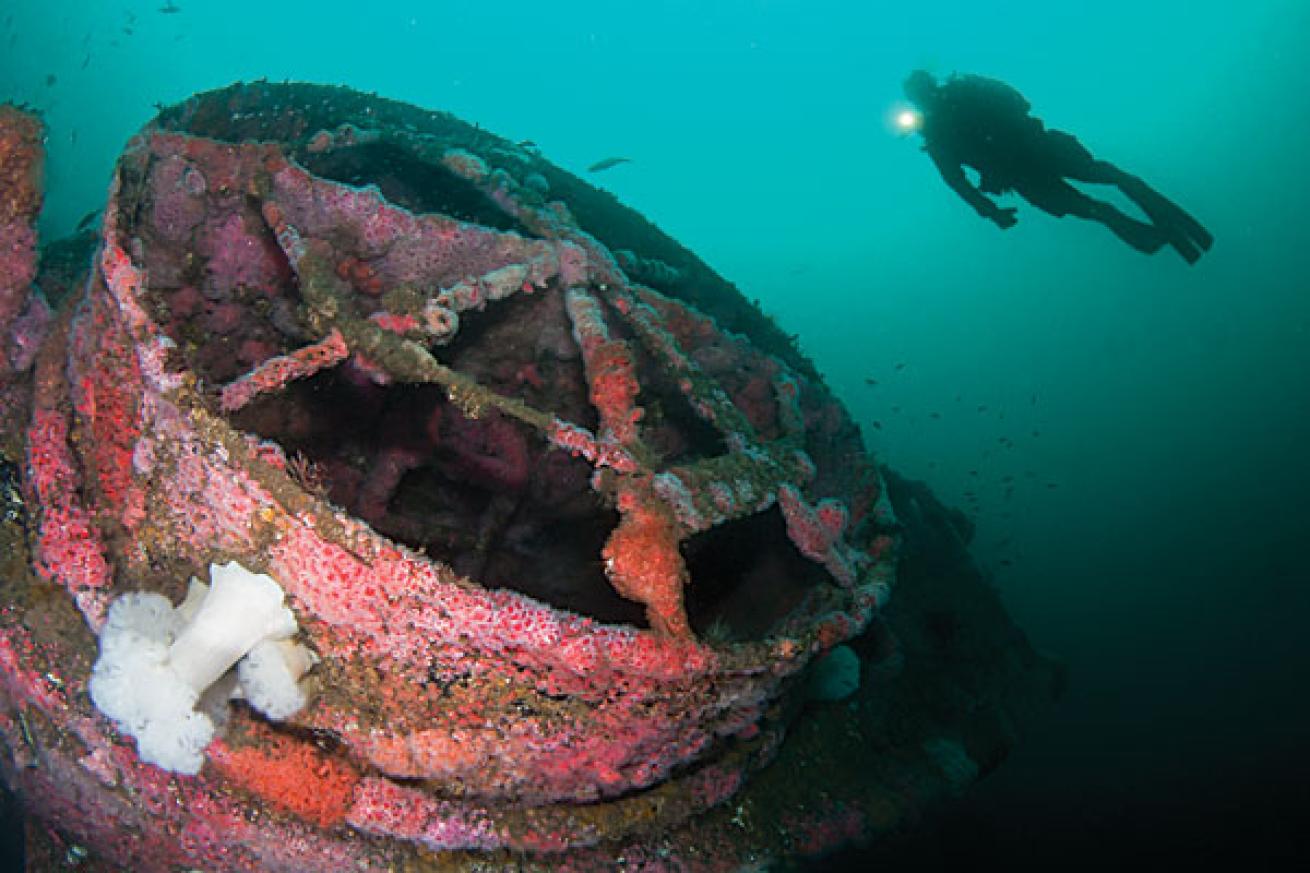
(1156, 528)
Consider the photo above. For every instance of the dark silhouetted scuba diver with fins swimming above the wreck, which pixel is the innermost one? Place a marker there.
(979, 123)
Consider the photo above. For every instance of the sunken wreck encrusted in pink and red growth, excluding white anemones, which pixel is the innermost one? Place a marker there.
(564, 520)
